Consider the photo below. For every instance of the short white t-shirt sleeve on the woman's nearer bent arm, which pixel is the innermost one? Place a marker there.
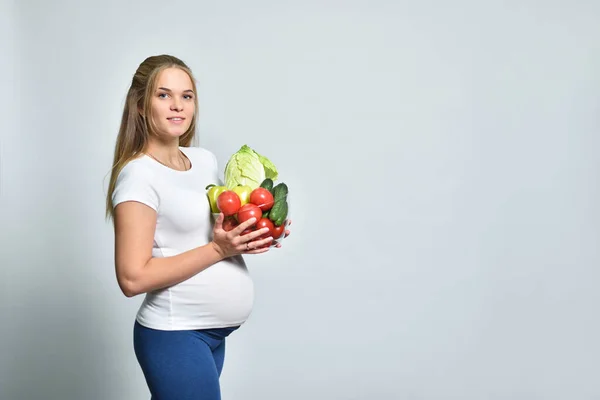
(134, 184)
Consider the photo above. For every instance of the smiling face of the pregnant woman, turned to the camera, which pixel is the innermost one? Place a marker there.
(173, 103)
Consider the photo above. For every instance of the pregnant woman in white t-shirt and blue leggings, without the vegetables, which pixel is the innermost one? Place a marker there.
(196, 285)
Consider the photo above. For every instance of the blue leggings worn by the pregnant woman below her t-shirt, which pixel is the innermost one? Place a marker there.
(181, 365)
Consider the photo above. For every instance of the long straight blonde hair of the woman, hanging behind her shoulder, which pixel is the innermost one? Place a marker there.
(137, 122)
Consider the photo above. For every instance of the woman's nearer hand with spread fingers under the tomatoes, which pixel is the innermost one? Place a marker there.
(232, 243)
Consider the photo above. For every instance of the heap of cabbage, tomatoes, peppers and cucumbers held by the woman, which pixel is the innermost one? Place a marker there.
(251, 190)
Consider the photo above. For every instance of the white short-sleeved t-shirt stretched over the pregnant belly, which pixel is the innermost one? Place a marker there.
(220, 296)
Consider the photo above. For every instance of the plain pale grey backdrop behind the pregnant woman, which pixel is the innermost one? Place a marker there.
(444, 187)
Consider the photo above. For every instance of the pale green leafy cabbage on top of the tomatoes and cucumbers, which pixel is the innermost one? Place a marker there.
(247, 167)
